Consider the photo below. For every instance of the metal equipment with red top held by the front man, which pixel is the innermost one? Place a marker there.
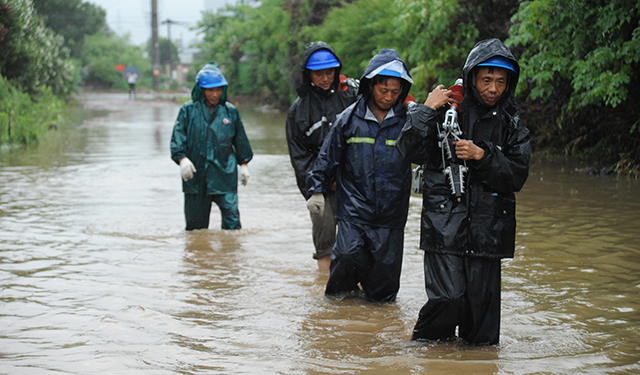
(448, 133)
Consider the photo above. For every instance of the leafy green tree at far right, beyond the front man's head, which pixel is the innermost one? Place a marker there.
(583, 57)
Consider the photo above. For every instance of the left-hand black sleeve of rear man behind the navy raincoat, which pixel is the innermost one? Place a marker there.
(301, 156)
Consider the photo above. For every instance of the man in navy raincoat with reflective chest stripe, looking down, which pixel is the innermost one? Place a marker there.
(373, 184)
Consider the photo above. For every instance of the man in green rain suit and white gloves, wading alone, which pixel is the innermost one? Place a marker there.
(209, 142)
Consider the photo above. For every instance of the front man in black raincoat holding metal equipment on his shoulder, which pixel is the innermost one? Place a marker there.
(464, 240)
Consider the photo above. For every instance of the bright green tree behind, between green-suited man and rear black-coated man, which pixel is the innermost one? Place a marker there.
(265, 40)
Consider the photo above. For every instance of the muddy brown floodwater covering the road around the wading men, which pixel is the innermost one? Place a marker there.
(98, 276)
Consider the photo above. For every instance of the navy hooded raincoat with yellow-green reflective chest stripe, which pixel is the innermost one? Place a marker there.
(372, 177)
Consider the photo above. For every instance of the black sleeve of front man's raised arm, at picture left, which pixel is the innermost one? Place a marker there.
(418, 139)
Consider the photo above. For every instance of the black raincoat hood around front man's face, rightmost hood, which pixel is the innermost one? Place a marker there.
(483, 51)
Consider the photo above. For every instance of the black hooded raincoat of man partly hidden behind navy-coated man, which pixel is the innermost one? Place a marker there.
(312, 115)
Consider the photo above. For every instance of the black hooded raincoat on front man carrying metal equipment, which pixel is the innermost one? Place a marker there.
(483, 224)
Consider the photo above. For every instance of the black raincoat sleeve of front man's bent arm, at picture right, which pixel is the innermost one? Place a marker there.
(505, 169)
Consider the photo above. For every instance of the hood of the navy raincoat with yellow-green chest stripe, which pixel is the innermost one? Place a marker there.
(386, 59)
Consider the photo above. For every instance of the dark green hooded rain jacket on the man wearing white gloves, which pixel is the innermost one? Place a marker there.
(215, 143)
